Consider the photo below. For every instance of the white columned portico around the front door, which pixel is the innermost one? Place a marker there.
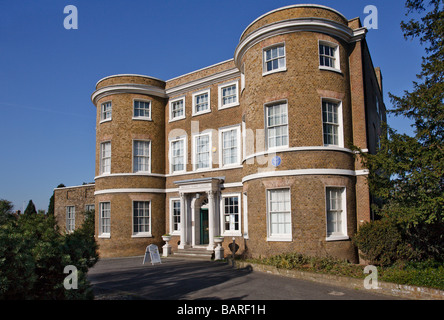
(199, 214)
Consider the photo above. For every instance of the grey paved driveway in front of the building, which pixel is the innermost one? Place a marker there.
(176, 279)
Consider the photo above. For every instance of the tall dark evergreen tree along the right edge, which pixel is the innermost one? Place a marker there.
(407, 173)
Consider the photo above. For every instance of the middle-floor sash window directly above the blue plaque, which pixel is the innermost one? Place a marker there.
(277, 125)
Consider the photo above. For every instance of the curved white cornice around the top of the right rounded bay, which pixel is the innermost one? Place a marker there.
(319, 25)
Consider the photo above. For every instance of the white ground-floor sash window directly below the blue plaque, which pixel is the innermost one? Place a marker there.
(279, 215)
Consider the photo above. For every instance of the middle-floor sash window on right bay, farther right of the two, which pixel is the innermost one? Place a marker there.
(332, 123)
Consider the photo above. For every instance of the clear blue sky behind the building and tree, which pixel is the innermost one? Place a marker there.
(48, 73)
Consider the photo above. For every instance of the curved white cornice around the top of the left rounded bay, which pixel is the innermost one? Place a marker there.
(127, 88)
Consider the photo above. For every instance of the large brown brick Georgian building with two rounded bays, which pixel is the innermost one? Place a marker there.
(257, 147)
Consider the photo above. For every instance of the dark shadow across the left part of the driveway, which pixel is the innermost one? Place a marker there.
(129, 279)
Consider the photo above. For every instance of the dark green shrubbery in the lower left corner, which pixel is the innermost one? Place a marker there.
(33, 255)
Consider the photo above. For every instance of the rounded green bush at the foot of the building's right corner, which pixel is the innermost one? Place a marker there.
(381, 243)
